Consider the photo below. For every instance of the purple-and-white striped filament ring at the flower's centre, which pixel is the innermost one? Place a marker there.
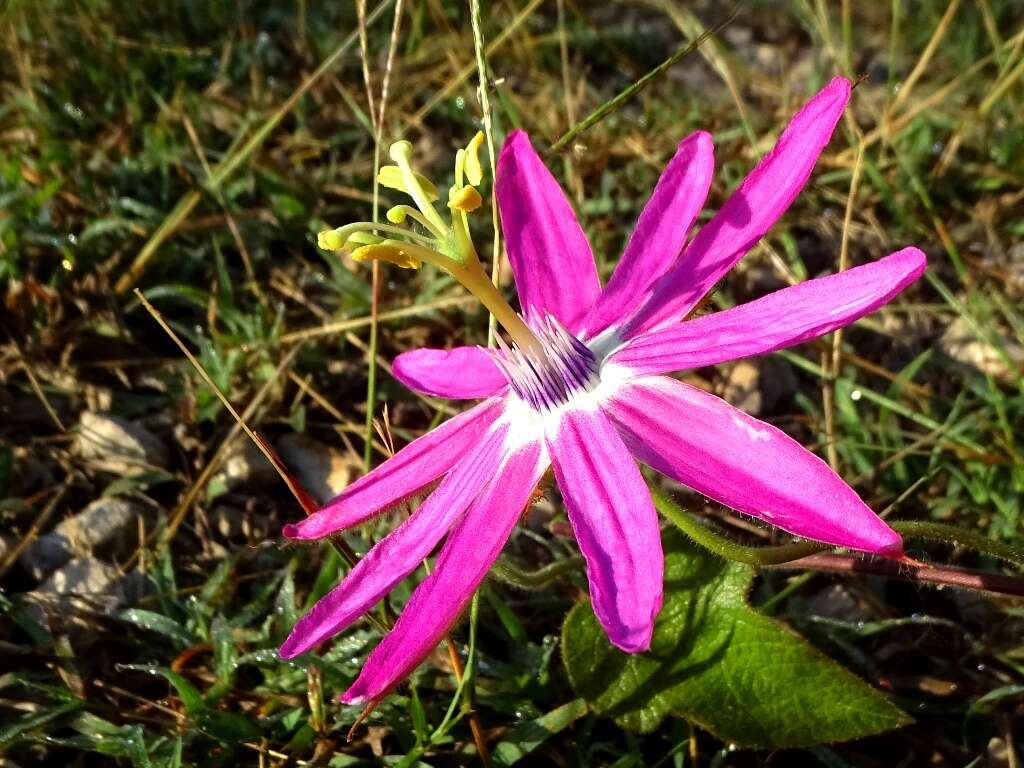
(546, 380)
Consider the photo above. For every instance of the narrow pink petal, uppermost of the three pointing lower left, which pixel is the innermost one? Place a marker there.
(416, 466)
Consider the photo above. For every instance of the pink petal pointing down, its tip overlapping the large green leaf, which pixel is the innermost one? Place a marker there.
(615, 523)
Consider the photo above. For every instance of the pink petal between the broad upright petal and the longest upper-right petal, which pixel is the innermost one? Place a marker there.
(661, 232)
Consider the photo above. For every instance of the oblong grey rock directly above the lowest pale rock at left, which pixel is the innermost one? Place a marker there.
(107, 527)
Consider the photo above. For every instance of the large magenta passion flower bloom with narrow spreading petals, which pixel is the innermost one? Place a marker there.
(587, 396)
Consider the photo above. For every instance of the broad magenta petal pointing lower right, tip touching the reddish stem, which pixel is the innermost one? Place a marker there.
(706, 444)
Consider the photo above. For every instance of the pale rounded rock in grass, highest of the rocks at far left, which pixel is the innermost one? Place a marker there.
(119, 446)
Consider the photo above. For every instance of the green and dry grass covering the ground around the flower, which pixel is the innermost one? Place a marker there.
(98, 165)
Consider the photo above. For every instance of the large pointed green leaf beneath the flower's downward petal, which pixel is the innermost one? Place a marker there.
(718, 663)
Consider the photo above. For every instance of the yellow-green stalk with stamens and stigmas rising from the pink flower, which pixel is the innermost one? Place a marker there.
(419, 234)
